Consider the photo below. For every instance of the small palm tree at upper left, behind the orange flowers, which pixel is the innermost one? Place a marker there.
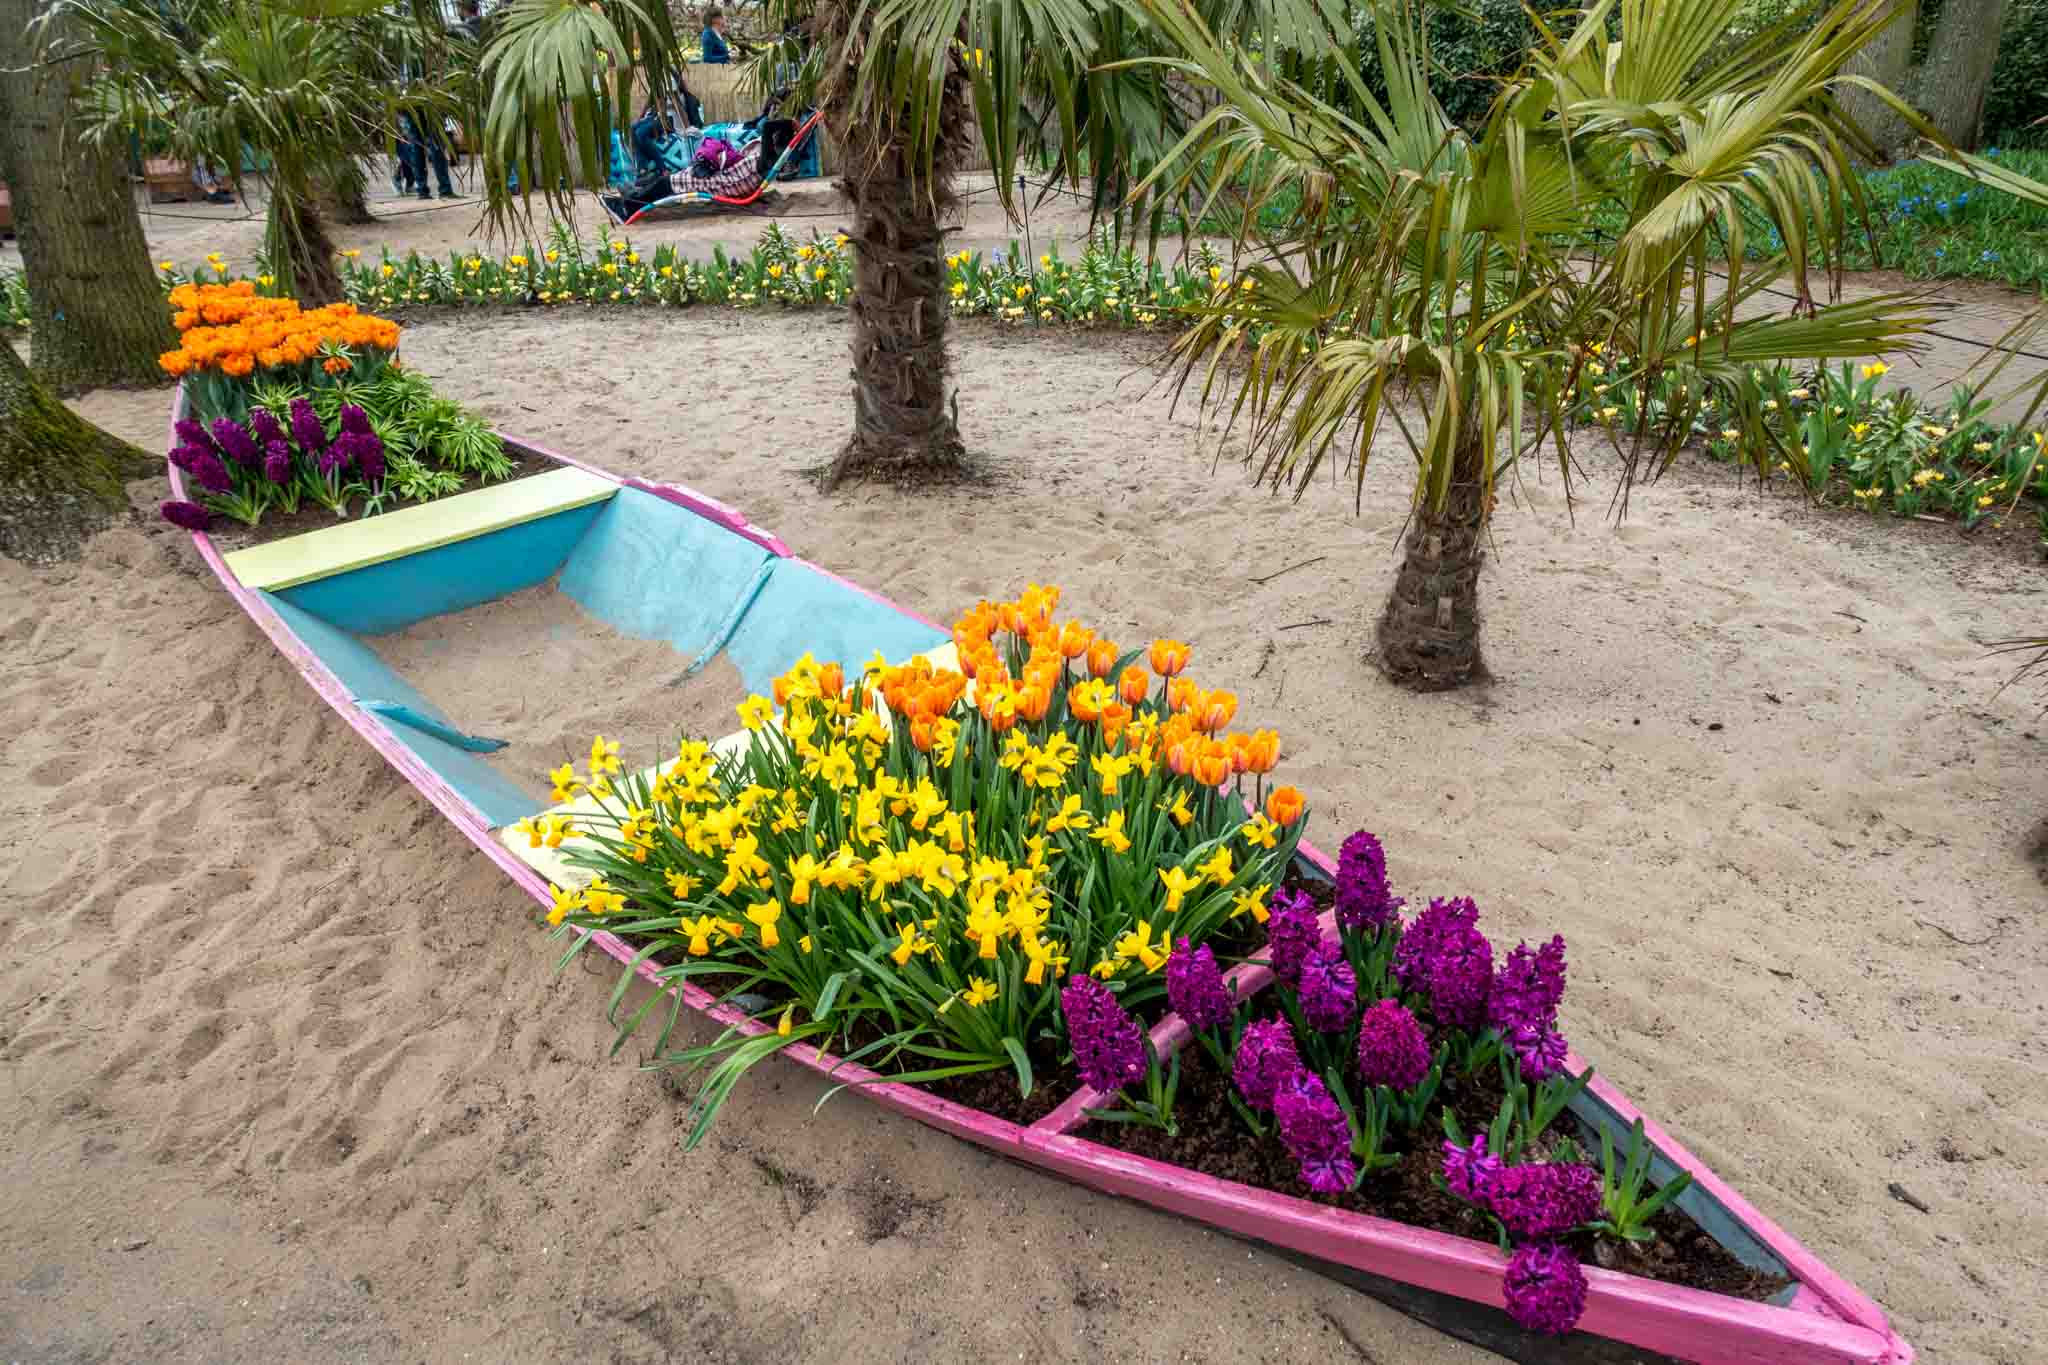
(306, 87)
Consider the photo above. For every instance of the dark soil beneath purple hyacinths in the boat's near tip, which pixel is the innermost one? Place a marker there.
(1215, 1143)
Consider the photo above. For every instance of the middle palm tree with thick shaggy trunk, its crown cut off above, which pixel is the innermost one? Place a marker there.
(902, 85)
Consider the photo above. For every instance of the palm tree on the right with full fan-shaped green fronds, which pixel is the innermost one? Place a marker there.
(1439, 267)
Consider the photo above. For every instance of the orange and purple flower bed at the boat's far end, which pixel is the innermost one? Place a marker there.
(308, 412)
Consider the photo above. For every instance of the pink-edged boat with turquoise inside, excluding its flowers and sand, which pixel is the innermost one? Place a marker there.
(325, 595)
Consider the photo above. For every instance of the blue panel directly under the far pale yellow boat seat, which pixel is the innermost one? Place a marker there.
(400, 592)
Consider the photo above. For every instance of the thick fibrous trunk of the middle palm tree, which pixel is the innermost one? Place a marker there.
(904, 419)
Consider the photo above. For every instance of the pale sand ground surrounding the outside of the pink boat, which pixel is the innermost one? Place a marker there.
(290, 1075)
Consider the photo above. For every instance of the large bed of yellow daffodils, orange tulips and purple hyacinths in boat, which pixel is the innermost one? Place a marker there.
(1058, 856)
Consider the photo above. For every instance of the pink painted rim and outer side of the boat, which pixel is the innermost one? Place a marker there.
(1451, 1282)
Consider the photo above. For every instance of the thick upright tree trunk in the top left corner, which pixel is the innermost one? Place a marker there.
(95, 302)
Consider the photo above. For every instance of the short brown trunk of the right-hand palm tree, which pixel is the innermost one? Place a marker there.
(1431, 627)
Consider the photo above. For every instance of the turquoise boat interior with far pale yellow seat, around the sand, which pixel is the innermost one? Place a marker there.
(642, 566)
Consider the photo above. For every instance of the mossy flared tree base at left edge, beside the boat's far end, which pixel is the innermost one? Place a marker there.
(60, 476)
